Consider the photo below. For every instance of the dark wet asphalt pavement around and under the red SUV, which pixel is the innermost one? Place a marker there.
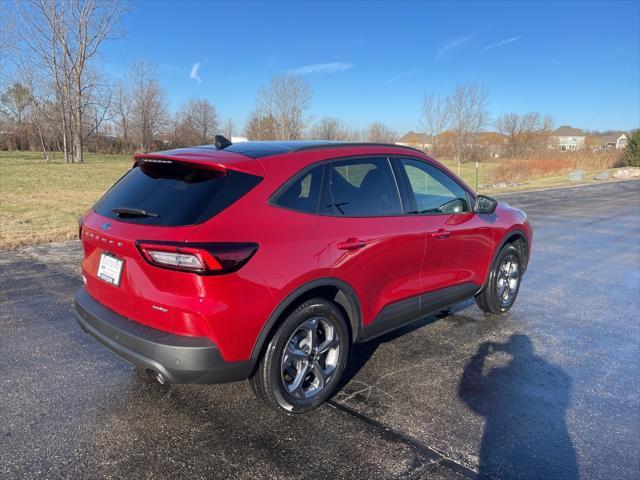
(551, 391)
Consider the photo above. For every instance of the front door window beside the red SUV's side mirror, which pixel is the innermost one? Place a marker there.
(434, 191)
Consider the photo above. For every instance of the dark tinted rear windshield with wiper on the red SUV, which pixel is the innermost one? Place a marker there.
(173, 194)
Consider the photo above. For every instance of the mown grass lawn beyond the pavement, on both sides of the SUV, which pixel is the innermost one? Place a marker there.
(41, 202)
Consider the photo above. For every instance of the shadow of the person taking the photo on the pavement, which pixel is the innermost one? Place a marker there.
(523, 399)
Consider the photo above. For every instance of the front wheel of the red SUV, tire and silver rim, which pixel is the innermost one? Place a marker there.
(500, 292)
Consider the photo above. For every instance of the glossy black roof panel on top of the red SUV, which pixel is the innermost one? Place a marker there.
(268, 148)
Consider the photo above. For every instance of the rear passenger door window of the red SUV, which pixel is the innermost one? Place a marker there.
(362, 187)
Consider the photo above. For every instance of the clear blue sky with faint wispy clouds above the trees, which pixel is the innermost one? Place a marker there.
(366, 61)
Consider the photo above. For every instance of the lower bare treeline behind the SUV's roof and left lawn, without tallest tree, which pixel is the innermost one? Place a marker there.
(134, 117)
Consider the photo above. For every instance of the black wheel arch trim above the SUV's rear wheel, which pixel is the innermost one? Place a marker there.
(330, 288)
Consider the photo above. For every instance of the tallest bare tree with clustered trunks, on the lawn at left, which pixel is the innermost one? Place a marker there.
(63, 37)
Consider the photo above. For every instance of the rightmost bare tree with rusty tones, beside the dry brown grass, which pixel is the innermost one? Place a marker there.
(524, 132)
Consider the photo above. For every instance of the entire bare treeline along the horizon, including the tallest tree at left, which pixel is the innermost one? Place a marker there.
(59, 99)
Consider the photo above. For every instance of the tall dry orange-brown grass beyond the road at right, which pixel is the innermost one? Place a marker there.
(548, 164)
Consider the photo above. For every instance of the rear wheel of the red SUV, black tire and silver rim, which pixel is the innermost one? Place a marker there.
(286, 358)
